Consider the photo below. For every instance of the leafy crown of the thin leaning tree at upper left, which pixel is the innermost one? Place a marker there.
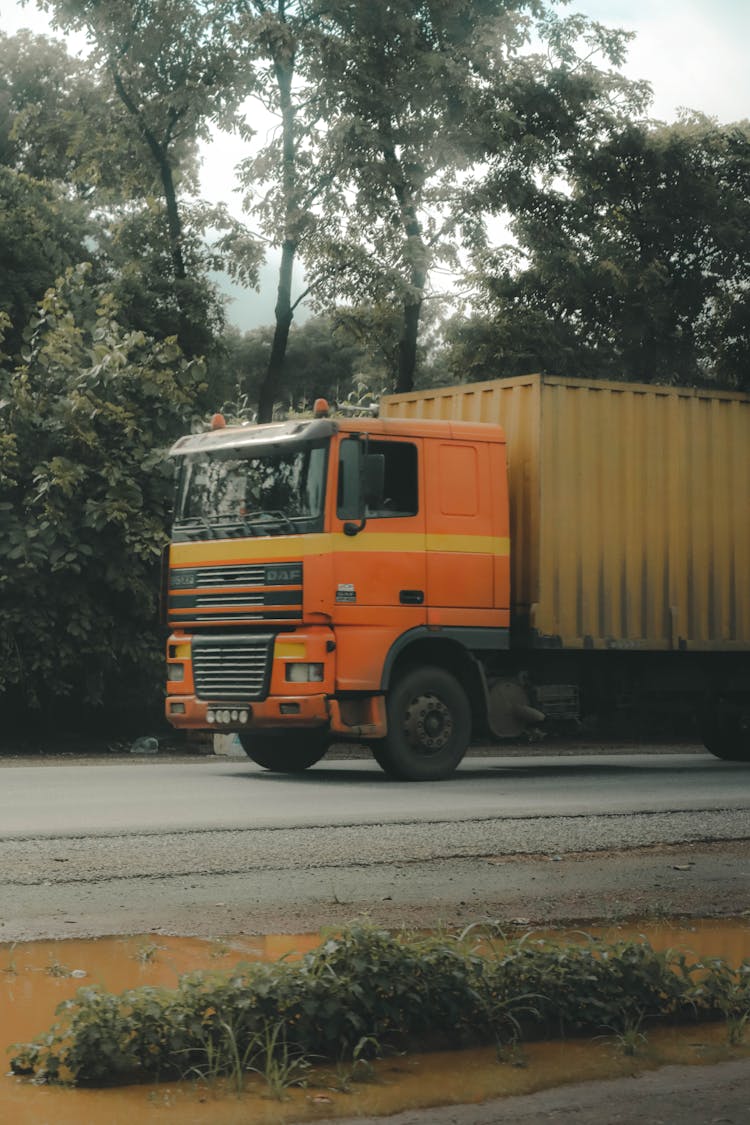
(101, 194)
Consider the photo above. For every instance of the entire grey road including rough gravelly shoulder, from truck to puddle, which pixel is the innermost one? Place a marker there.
(212, 847)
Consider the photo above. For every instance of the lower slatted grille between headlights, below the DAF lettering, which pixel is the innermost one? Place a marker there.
(237, 670)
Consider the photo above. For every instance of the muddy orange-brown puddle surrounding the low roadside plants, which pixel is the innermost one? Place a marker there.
(37, 977)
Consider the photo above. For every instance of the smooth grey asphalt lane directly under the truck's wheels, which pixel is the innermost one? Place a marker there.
(146, 796)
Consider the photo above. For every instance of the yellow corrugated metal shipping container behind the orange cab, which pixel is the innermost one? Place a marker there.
(630, 509)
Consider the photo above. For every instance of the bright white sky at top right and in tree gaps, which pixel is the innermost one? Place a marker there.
(693, 52)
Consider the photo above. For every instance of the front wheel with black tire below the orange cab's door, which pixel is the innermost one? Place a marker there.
(429, 726)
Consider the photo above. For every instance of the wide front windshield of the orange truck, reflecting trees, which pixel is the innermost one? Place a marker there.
(245, 492)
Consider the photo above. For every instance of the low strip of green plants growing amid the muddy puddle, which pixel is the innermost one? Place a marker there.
(366, 989)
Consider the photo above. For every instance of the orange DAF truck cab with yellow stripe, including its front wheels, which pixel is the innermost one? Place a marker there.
(339, 579)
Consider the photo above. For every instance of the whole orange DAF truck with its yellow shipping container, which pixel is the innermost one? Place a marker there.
(476, 561)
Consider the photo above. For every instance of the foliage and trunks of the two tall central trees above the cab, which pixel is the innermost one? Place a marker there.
(384, 129)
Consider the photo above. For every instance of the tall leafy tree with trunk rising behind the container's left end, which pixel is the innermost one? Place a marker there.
(421, 96)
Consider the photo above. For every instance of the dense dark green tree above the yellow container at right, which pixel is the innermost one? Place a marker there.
(640, 268)
